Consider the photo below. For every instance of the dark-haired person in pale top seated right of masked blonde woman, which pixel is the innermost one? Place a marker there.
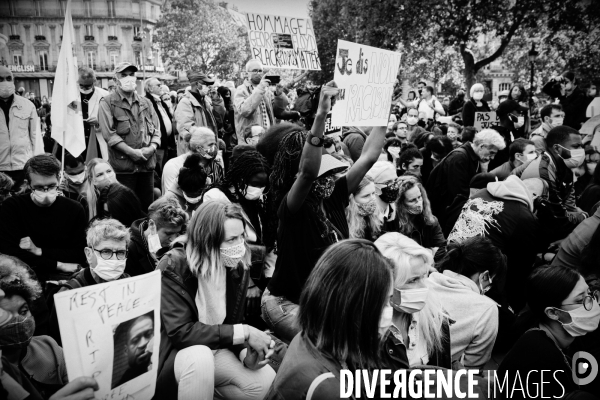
(465, 275)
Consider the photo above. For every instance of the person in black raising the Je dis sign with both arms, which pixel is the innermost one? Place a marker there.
(312, 212)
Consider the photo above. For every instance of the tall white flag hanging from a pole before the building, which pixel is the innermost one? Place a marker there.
(67, 118)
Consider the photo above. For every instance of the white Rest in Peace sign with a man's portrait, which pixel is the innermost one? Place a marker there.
(111, 331)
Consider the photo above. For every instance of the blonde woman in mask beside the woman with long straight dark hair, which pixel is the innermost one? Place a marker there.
(419, 334)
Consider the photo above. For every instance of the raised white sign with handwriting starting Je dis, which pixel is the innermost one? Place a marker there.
(366, 77)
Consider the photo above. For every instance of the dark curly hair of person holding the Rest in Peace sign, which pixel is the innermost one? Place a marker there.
(16, 278)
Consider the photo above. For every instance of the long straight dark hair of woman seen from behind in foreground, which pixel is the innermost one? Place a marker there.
(342, 303)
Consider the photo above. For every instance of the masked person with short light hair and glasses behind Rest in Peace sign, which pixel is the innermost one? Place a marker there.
(106, 254)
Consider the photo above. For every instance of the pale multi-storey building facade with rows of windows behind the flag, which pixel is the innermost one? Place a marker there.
(106, 32)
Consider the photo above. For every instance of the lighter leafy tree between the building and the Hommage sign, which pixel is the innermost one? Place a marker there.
(200, 35)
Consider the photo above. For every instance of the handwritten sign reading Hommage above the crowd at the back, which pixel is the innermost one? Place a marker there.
(283, 42)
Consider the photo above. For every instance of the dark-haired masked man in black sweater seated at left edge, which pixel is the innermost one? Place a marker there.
(41, 228)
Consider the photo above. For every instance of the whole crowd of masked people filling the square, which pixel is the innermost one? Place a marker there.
(288, 255)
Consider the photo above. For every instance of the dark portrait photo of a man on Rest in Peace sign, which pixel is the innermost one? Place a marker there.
(133, 341)
